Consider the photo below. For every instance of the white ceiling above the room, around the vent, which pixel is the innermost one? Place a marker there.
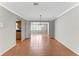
(48, 10)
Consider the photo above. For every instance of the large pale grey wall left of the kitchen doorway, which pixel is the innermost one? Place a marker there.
(7, 30)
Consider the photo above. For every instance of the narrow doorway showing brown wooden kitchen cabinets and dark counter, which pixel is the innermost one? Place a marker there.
(18, 31)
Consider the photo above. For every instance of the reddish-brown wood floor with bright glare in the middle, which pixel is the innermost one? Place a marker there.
(39, 45)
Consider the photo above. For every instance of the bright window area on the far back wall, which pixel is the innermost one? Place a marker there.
(37, 27)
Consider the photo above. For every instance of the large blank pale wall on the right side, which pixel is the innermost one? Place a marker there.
(67, 29)
